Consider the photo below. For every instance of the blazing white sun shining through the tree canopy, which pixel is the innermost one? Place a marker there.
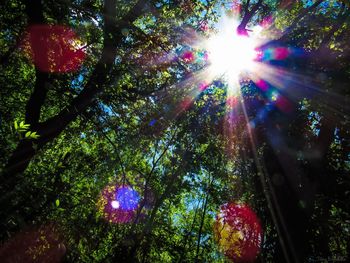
(231, 54)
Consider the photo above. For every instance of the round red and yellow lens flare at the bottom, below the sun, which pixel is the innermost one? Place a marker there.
(238, 232)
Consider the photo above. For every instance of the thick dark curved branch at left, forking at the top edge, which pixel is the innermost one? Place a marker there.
(100, 77)
